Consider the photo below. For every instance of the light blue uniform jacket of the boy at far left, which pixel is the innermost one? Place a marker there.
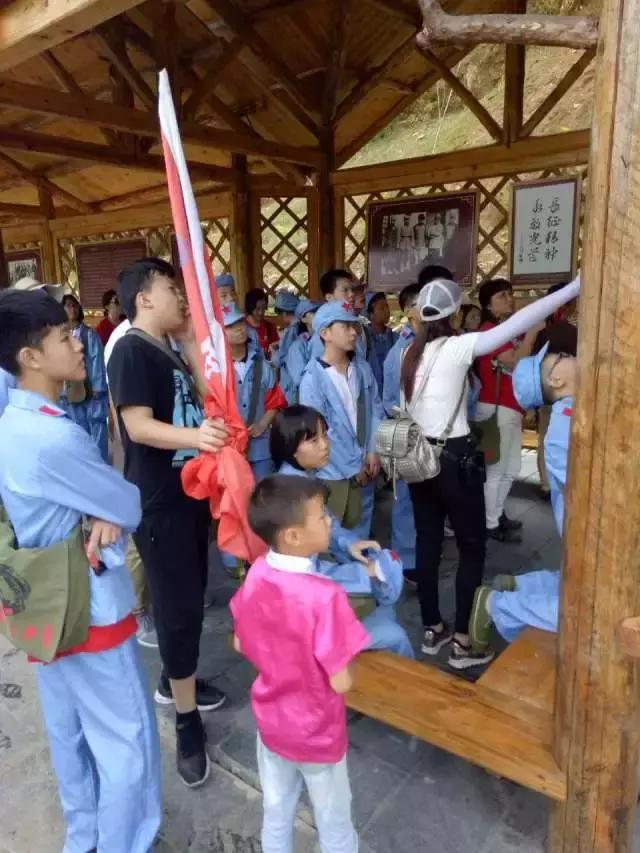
(51, 475)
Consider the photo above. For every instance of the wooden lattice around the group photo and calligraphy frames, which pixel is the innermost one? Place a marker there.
(493, 231)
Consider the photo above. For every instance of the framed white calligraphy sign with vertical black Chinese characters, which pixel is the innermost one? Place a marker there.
(545, 220)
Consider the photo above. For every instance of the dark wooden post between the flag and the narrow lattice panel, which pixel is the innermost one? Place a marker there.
(243, 232)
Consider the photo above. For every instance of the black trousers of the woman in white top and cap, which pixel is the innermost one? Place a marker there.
(463, 502)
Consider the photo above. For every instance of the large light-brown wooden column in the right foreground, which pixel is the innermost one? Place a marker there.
(597, 715)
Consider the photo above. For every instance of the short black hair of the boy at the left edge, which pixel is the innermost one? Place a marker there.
(26, 318)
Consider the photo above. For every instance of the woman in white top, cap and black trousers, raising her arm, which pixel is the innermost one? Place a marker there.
(434, 383)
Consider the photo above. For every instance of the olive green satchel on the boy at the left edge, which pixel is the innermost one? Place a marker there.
(44, 594)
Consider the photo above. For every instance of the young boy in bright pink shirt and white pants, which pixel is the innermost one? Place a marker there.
(300, 633)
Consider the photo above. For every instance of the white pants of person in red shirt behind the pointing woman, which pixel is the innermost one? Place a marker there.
(500, 476)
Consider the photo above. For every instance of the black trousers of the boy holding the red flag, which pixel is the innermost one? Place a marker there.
(174, 546)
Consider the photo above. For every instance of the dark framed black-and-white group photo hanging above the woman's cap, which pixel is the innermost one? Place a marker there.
(404, 235)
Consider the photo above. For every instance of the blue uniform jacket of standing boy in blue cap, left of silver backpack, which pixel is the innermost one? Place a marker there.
(346, 456)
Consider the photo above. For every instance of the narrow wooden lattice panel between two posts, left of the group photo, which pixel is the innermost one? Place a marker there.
(284, 244)
